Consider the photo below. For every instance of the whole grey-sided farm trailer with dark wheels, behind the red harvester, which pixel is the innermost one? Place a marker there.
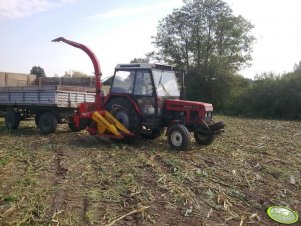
(49, 105)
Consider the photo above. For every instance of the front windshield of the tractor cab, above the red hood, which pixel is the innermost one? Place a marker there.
(166, 83)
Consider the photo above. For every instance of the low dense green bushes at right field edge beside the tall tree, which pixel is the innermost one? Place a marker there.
(272, 96)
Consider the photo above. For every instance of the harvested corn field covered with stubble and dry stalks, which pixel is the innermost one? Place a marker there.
(74, 179)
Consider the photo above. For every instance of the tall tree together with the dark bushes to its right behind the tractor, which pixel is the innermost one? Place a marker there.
(211, 45)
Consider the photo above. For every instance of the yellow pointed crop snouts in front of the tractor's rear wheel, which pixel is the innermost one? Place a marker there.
(108, 122)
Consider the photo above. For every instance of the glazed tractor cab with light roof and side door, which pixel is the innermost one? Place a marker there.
(147, 84)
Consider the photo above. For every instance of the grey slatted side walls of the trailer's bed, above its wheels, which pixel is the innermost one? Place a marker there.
(47, 95)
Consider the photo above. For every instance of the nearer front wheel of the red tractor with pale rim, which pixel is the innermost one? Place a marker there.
(178, 137)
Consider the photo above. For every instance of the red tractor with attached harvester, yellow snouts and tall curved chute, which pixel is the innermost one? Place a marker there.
(143, 101)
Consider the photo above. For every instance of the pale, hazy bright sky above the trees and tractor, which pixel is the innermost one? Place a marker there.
(120, 30)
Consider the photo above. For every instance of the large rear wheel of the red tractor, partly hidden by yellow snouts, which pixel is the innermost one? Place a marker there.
(124, 111)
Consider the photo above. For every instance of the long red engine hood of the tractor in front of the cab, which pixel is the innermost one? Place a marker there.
(189, 105)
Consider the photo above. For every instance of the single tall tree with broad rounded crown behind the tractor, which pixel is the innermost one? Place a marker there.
(207, 41)
